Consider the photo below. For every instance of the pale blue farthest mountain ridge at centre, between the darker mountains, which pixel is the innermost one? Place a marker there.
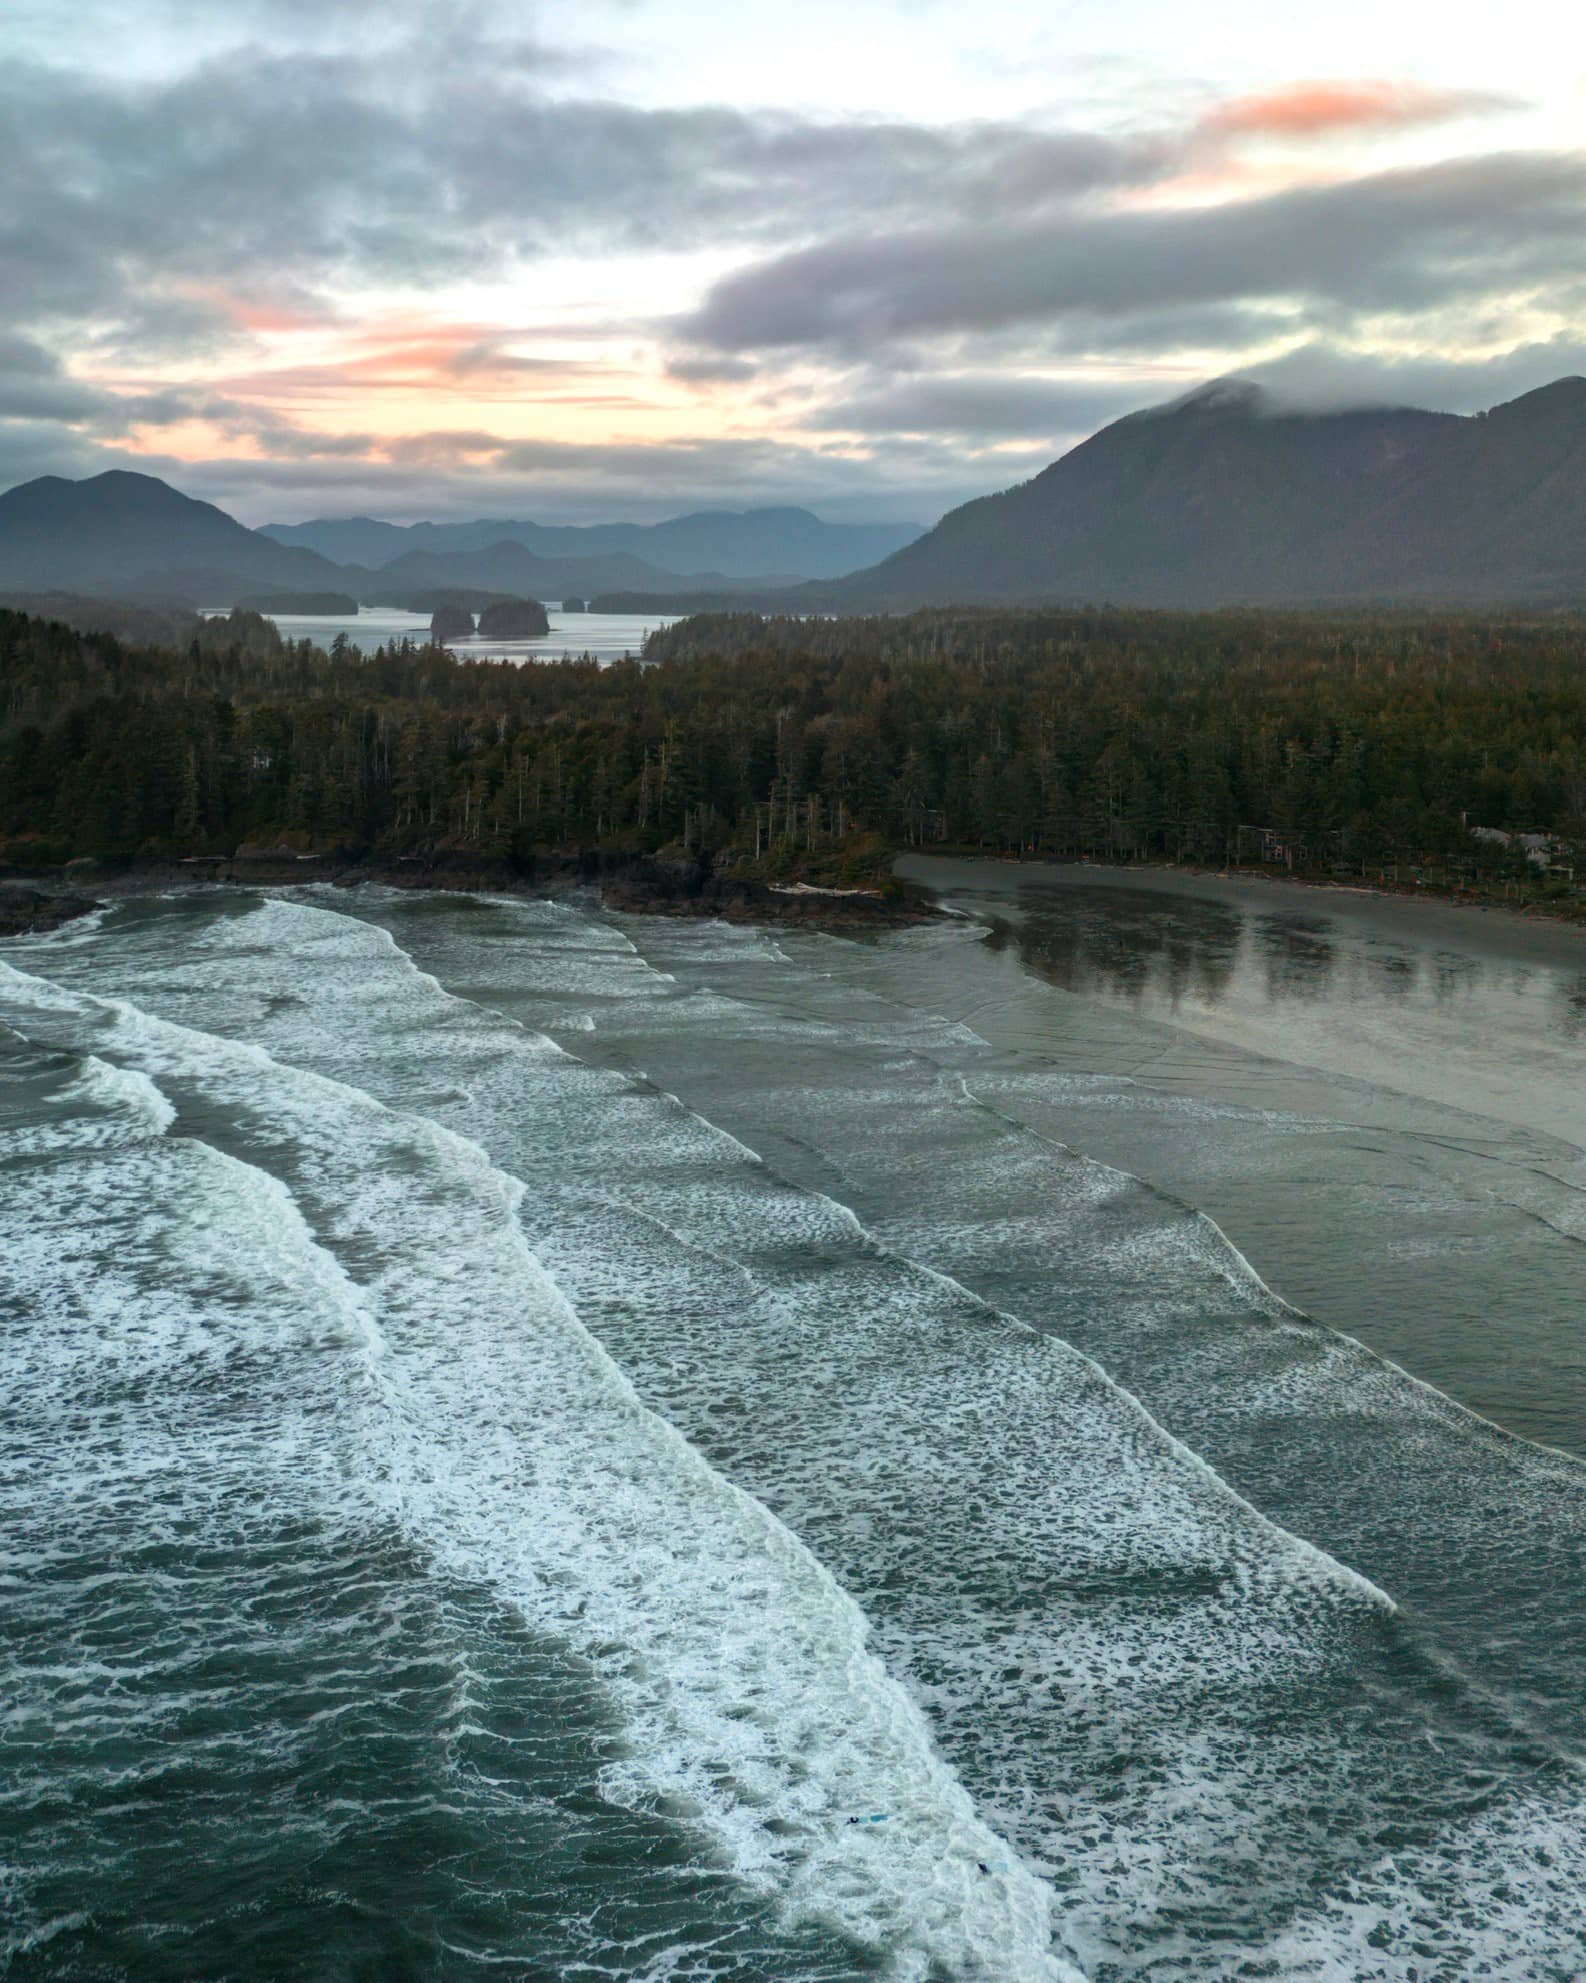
(723, 544)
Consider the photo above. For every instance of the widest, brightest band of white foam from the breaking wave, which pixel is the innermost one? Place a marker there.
(516, 1453)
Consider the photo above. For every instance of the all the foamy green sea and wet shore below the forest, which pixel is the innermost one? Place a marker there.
(554, 1445)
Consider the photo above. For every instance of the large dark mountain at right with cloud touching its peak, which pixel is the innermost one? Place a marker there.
(1226, 499)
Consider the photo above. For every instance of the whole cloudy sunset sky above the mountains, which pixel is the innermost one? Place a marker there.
(618, 259)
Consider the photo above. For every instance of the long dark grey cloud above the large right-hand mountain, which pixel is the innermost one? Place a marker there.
(1387, 243)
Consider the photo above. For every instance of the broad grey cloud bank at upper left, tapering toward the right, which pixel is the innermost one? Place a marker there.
(429, 164)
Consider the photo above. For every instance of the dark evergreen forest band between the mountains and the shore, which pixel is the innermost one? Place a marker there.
(1121, 735)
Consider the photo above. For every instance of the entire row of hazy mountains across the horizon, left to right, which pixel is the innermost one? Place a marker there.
(1220, 499)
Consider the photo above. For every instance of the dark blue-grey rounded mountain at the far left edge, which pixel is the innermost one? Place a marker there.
(138, 536)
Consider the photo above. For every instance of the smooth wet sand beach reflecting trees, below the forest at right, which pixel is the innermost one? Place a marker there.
(1472, 1008)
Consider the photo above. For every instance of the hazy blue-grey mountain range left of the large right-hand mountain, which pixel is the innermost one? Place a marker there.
(134, 536)
